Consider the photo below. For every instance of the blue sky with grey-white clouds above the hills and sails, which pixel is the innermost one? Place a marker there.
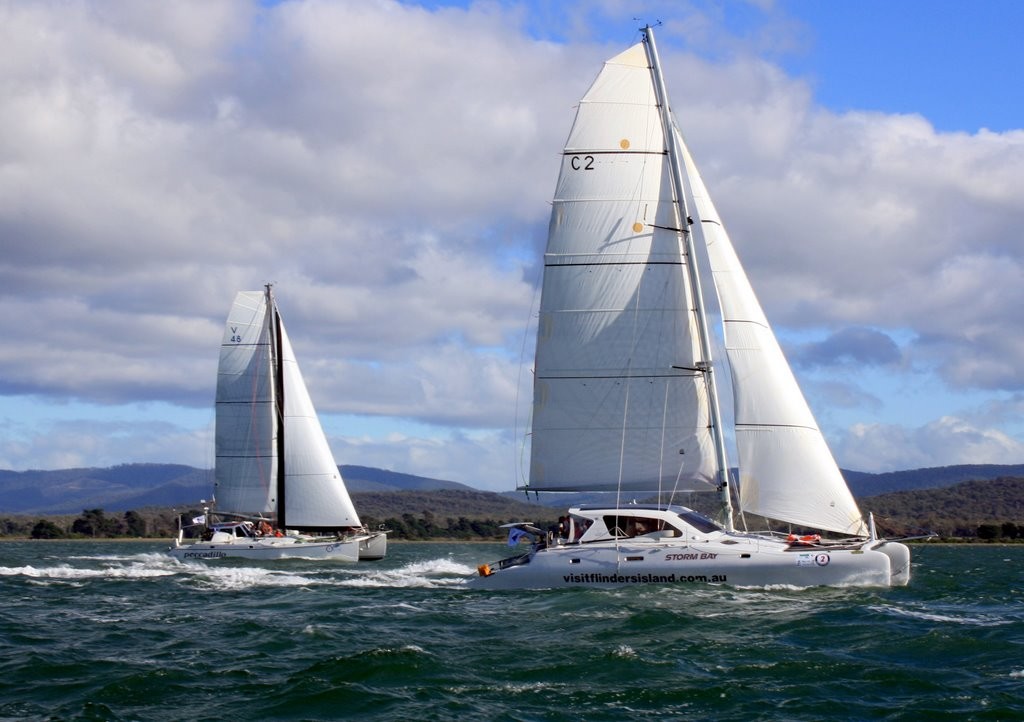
(390, 167)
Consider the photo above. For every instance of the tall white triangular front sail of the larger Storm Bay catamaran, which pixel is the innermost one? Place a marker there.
(787, 472)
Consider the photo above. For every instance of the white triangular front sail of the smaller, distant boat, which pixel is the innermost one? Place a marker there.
(315, 493)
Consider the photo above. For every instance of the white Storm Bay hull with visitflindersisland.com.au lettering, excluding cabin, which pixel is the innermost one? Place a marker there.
(751, 563)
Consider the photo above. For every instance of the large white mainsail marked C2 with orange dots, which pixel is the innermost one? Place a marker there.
(619, 402)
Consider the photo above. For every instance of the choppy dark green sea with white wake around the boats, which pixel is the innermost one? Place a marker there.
(118, 631)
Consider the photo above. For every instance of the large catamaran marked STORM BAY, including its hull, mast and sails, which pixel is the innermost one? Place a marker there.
(625, 393)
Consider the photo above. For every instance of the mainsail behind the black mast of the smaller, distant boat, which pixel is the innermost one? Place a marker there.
(246, 464)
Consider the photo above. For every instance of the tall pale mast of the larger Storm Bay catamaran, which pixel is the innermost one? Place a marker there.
(706, 366)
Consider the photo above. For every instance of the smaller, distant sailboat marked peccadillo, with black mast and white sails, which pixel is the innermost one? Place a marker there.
(276, 479)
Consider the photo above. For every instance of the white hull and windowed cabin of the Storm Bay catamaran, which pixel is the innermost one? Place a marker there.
(663, 544)
